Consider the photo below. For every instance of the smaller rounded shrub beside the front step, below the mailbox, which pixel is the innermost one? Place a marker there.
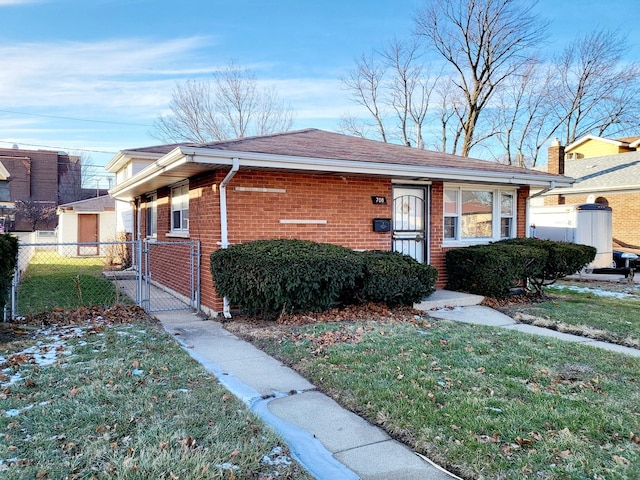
(394, 279)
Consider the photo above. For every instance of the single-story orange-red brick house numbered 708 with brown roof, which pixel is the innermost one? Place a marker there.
(322, 186)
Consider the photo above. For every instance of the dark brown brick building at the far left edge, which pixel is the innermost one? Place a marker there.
(44, 178)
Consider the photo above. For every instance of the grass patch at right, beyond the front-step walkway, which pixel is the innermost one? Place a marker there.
(616, 320)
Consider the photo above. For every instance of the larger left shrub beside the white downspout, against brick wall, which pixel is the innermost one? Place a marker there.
(275, 275)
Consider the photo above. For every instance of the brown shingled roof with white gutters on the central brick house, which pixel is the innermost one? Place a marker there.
(321, 152)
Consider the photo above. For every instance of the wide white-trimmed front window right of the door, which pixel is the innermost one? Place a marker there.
(475, 214)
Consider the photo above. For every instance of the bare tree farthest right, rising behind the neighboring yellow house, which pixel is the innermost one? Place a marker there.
(587, 89)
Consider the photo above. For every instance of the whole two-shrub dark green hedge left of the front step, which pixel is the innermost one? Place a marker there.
(271, 276)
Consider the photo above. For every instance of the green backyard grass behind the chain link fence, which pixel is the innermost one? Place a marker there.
(52, 281)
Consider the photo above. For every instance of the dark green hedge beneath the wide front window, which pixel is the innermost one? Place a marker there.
(493, 270)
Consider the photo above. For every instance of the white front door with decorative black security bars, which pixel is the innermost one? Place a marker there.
(410, 233)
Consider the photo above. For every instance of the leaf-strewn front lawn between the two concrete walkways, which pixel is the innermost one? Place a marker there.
(485, 403)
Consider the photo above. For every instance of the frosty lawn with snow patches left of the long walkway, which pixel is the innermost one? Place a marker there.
(128, 403)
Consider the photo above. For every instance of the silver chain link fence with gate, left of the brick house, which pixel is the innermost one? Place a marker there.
(154, 275)
